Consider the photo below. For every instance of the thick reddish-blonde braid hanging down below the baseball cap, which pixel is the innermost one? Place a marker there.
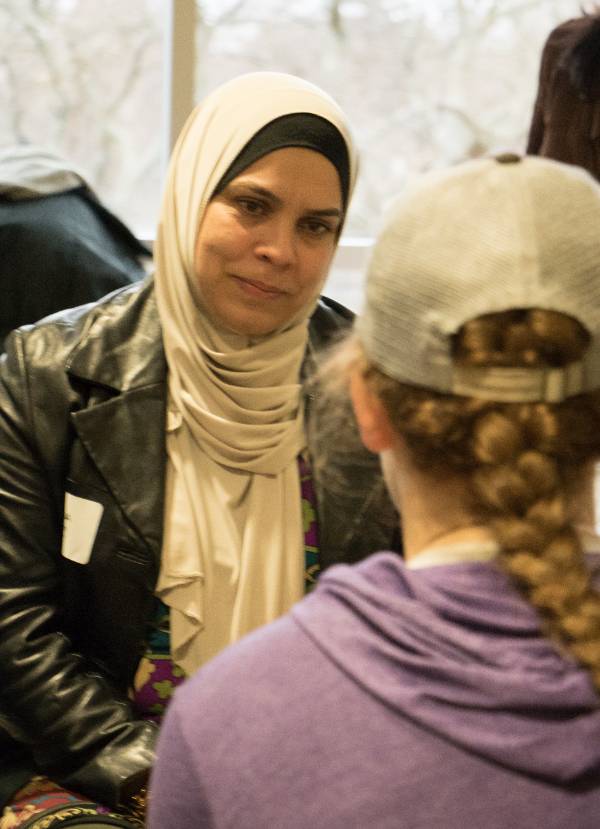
(523, 496)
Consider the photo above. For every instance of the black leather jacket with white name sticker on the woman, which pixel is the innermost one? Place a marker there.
(82, 410)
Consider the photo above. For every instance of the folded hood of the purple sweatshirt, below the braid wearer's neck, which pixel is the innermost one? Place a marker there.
(459, 652)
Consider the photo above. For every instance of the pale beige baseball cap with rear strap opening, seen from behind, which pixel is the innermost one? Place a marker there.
(485, 236)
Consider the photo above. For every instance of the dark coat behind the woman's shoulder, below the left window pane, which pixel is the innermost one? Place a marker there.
(60, 251)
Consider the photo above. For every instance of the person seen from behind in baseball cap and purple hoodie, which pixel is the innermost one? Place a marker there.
(459, 686)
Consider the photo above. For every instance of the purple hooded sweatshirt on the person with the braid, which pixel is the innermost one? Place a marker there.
(389, 697)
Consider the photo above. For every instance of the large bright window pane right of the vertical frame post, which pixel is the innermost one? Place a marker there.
(424, 82)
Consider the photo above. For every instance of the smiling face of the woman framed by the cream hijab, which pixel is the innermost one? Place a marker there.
(266, 241)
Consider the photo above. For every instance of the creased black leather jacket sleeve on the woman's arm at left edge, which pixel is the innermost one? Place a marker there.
(78, 724)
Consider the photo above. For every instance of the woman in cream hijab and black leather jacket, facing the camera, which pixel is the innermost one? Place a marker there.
(160, 485)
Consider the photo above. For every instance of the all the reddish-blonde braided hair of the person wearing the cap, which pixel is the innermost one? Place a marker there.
(520, 460)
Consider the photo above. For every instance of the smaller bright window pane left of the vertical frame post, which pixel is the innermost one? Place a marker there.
(85, 79)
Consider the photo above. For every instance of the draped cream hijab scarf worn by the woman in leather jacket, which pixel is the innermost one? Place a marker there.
(232, 546)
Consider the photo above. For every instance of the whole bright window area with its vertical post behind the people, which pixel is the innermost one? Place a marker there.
(424, 82)
